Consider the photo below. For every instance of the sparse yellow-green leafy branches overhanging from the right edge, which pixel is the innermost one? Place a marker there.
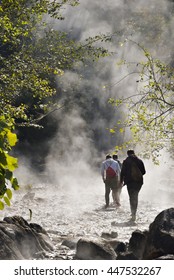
(149, 112)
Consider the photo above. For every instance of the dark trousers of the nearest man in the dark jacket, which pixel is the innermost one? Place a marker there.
(133, 191)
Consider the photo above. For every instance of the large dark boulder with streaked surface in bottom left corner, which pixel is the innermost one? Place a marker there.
(21, 240)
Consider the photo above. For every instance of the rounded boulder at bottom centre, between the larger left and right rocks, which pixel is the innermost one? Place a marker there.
(91, 249)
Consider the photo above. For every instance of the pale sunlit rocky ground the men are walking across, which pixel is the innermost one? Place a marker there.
(68, 213)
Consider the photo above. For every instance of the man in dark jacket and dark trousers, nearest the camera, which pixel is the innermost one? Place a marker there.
(132, 175)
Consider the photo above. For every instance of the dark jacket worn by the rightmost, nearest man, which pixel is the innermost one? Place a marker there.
(125, 175)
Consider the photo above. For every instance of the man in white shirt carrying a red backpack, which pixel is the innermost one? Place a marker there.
(110, 172)
